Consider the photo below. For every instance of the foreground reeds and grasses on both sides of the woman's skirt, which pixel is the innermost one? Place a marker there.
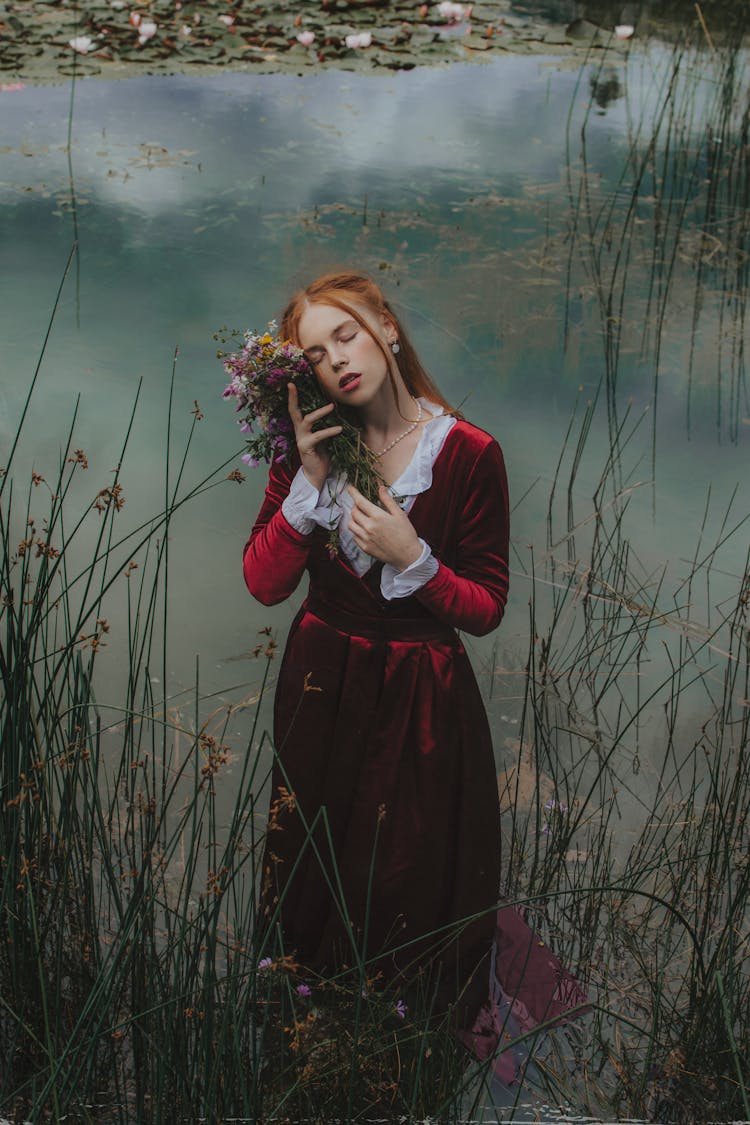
(132, 986)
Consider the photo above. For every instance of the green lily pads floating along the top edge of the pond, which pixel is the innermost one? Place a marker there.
(405, 34)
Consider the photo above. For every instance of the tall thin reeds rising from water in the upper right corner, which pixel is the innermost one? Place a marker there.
(679, 212)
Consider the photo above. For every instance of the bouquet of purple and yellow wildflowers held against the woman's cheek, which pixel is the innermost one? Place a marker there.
(260, 373)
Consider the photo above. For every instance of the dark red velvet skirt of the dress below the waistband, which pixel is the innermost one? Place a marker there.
(390, 849)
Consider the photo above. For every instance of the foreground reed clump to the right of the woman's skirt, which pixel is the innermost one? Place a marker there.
(631, 849)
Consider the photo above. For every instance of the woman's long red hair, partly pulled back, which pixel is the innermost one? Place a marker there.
(350, 293)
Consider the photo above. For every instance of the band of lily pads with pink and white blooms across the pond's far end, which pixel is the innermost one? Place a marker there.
(46, 41)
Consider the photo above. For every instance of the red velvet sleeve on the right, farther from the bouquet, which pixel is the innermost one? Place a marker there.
(473, 595)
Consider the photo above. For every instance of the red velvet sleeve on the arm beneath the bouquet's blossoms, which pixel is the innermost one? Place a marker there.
(276, 555)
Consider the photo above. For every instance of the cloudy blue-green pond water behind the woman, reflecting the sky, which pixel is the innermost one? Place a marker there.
(486, 199)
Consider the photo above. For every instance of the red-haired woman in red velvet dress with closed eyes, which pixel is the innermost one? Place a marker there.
(378, 718)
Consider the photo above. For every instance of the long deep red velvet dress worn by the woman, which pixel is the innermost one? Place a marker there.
(379, 722)
